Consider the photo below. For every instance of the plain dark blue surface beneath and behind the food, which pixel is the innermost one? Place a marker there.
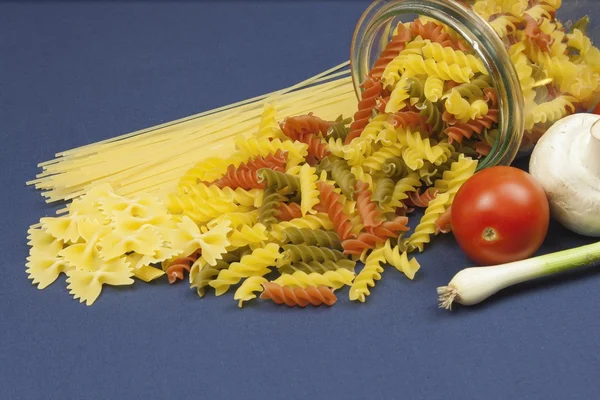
(77, 72)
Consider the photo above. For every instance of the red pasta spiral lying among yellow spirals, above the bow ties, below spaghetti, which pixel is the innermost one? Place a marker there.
(245, 177)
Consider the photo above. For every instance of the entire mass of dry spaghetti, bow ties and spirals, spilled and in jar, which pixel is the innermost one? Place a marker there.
(302, 207)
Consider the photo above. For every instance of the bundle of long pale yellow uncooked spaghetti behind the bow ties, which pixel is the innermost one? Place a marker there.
(153, 159)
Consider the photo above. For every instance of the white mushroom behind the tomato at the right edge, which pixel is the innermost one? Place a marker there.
(566, 162)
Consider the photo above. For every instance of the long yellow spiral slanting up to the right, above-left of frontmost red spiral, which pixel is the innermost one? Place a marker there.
(255, 264)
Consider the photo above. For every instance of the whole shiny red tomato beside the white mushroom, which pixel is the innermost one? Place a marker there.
(499, 215)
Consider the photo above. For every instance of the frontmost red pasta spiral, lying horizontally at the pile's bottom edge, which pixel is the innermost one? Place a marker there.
(297, 296)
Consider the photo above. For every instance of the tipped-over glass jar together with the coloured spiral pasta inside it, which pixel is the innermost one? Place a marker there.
(485, 78)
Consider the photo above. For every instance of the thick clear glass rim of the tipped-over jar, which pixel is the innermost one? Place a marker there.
(376, 27)
